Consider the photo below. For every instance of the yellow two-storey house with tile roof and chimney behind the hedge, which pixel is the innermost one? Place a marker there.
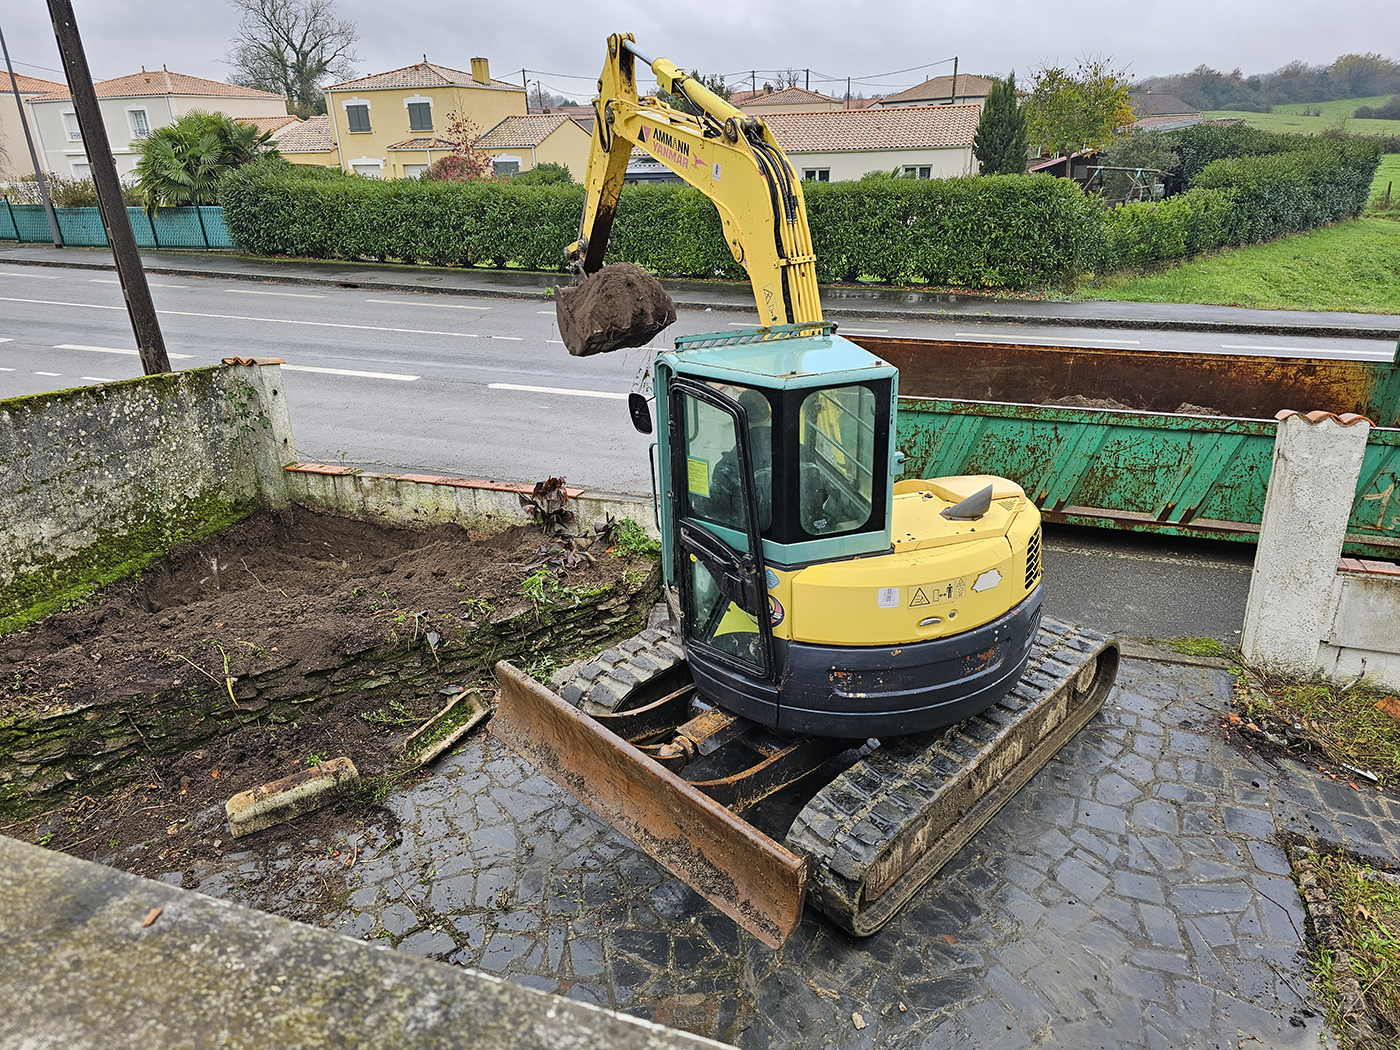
(387, 125)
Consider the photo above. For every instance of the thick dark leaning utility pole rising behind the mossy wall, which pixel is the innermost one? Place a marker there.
(118, 225)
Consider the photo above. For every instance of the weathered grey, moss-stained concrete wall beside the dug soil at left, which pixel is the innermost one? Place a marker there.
(97, 481)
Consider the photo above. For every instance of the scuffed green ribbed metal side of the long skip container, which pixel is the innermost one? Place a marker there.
(1182, 475)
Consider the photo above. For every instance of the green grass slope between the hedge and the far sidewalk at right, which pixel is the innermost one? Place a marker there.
(1350, 267)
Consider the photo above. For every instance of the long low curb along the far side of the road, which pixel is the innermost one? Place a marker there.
(689, 302)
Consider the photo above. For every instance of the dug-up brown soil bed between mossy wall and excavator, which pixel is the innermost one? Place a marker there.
(300, 586)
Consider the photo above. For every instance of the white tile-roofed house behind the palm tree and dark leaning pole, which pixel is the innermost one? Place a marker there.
(132, 107)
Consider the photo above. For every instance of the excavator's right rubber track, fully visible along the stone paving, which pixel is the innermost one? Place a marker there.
(926, 789)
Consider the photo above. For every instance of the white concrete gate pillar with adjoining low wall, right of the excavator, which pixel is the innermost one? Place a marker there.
(1311, 610)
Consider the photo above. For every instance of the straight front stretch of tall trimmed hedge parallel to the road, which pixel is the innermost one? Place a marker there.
(997, 232)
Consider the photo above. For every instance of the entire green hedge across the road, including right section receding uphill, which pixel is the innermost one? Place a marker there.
(1004, 232)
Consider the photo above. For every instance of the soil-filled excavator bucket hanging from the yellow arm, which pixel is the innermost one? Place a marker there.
(618, 307)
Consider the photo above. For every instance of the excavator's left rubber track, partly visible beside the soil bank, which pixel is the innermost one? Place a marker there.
(649, 663)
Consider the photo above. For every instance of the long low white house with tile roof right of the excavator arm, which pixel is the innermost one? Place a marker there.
(841, 145)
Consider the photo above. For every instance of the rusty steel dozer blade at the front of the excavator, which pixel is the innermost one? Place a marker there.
(741, 871)
